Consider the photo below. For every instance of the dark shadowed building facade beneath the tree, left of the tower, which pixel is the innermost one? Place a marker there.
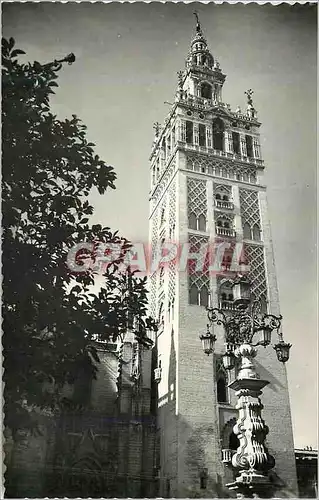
(103, 444)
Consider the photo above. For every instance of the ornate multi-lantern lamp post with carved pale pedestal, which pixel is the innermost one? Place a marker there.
(242, 326)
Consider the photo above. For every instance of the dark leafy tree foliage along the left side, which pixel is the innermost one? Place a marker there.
(49, 168)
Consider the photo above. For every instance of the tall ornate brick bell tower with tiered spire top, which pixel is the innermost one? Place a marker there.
(208, 200)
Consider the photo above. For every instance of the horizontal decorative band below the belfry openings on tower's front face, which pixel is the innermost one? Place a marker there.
(221, 168)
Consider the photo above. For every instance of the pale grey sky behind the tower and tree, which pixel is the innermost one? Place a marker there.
(127, 57)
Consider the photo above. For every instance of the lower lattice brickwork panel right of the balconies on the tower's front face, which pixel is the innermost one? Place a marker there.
(254, 256)
